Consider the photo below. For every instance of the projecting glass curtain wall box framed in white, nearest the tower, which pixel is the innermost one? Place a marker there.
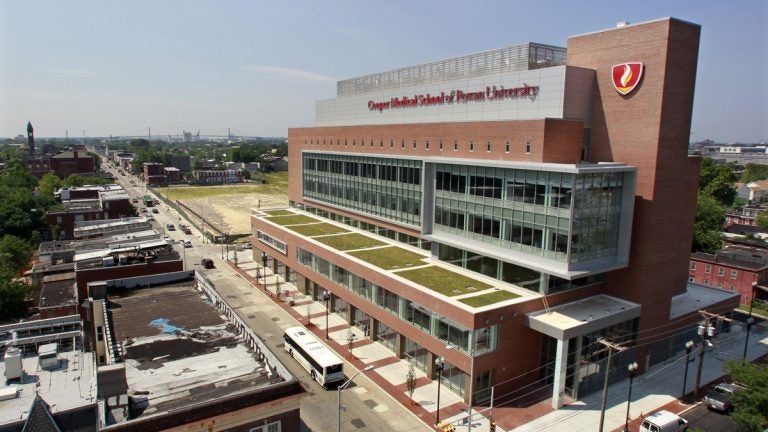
(530, 211)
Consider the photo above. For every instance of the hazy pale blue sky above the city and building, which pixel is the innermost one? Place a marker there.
(117, 68)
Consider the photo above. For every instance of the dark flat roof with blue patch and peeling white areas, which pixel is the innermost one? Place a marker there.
(179, 351)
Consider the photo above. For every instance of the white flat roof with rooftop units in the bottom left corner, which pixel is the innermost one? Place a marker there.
(70, 385)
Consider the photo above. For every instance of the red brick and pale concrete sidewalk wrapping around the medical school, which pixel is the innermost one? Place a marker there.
(660, 387)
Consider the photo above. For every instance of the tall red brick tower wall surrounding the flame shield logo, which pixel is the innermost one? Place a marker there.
(649, 128)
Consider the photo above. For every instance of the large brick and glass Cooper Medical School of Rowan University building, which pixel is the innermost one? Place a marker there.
(506, 211)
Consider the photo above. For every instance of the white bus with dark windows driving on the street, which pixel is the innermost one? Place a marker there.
(321, 363)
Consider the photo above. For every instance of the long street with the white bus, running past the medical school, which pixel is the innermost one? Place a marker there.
(368, 407)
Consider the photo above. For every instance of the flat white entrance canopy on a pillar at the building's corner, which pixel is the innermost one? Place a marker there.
(583, 316)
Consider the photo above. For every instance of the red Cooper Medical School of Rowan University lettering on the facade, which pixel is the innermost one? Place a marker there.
(491, 93)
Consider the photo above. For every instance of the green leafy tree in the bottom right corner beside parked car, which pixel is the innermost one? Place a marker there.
(751, 403)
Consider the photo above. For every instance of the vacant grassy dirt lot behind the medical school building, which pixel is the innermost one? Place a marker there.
(228, 207)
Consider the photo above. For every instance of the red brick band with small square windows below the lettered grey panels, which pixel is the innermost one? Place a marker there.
(552, 140)
